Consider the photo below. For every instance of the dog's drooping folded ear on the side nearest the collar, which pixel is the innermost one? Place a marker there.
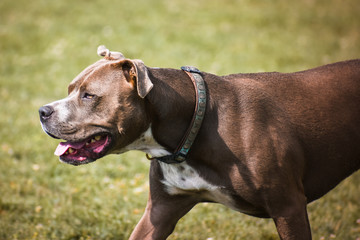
(136, 73)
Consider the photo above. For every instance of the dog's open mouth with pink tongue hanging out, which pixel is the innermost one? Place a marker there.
(84, 151)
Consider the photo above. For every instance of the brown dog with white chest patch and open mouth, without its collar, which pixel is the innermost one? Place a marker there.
(269, 144)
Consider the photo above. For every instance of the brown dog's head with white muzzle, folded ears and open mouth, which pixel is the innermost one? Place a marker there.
(103, 112)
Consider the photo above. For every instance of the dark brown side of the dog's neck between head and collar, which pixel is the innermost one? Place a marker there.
(171, 105)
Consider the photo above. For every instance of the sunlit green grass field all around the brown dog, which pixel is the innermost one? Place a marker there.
(46, 43)
